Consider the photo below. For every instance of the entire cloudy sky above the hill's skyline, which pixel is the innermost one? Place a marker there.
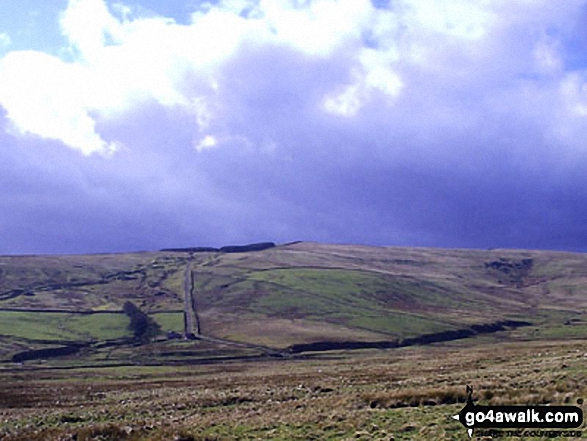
(141, 124)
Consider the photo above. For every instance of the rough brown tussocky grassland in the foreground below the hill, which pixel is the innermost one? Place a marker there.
(398, 394)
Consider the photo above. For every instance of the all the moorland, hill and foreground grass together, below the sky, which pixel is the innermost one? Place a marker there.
(241, 379)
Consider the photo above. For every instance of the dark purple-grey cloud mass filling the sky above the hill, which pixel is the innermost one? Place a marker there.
(483, 146)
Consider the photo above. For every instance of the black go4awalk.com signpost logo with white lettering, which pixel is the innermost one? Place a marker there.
(475, 417)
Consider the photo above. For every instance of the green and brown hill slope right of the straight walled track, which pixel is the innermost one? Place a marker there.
(368, 292)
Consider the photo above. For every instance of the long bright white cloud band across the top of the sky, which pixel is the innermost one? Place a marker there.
(119, 62)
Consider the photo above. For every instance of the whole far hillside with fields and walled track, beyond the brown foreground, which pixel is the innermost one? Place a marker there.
(253, 302)
